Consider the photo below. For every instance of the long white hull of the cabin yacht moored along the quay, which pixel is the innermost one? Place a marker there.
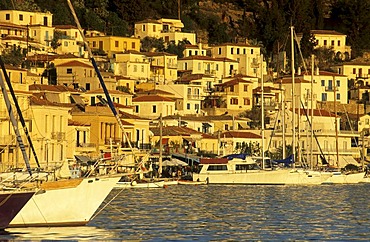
(263, 177)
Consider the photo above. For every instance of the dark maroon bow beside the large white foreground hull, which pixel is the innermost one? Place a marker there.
(11, 202)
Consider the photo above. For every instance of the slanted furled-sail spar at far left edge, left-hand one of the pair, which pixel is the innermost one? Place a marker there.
(15, 124)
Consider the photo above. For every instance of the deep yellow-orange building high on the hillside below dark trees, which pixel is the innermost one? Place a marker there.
(112, 45)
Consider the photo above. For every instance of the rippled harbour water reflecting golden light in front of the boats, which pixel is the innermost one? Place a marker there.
(232, 213)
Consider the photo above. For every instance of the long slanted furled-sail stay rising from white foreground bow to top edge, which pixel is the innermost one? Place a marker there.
(91, 57)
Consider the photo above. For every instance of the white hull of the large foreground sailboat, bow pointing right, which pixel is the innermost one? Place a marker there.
(69, 206)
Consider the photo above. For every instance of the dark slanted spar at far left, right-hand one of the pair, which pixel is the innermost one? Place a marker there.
(19, 112)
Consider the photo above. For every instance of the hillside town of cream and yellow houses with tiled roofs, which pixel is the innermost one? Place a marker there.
(206, 104)
